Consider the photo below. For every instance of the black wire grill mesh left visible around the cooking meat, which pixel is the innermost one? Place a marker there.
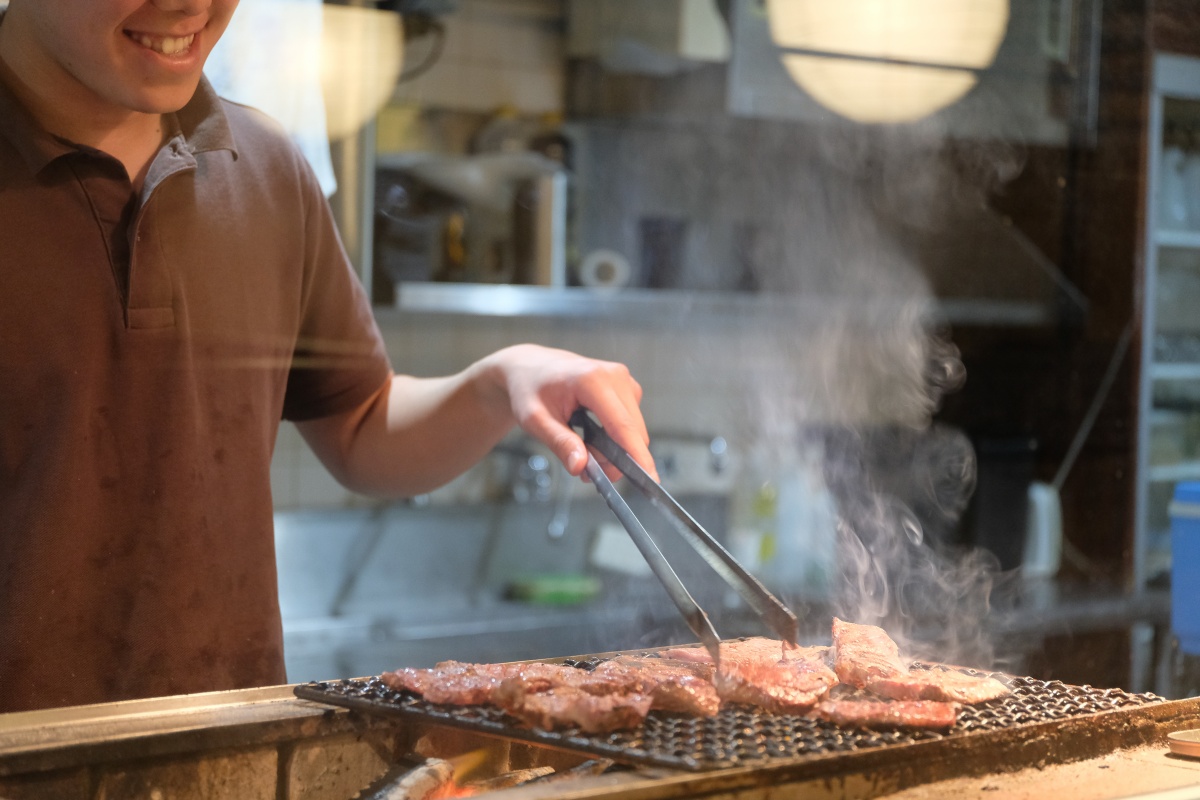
(739, 736)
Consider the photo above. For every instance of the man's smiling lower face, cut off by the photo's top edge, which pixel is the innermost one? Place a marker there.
(115, 56)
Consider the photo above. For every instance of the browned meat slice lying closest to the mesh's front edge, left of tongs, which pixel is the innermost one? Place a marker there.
(565, 707)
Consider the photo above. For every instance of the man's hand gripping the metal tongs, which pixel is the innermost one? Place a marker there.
(543, 388)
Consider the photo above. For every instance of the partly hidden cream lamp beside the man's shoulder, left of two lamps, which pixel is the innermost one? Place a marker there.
(362, 57)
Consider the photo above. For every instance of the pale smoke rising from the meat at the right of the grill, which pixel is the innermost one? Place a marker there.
(867, 377)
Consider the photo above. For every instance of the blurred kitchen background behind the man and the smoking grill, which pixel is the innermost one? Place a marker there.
(910, 286)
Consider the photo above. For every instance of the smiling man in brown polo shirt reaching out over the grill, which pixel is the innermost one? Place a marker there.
(172, 286)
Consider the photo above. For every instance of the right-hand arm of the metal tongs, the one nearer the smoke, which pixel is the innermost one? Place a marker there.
(775, 613)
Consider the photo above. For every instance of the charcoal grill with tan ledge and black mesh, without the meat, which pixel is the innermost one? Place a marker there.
(291, 748)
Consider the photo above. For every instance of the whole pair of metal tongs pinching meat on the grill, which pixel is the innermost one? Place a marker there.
(775, 615)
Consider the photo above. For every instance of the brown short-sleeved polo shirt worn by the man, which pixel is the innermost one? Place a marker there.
(149, 347)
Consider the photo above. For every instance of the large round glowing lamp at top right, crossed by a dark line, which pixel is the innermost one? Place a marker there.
(887, 61)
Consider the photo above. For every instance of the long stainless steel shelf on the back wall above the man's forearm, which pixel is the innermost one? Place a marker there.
(669, 305)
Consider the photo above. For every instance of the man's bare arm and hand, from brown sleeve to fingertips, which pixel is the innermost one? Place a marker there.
(418, 434)
